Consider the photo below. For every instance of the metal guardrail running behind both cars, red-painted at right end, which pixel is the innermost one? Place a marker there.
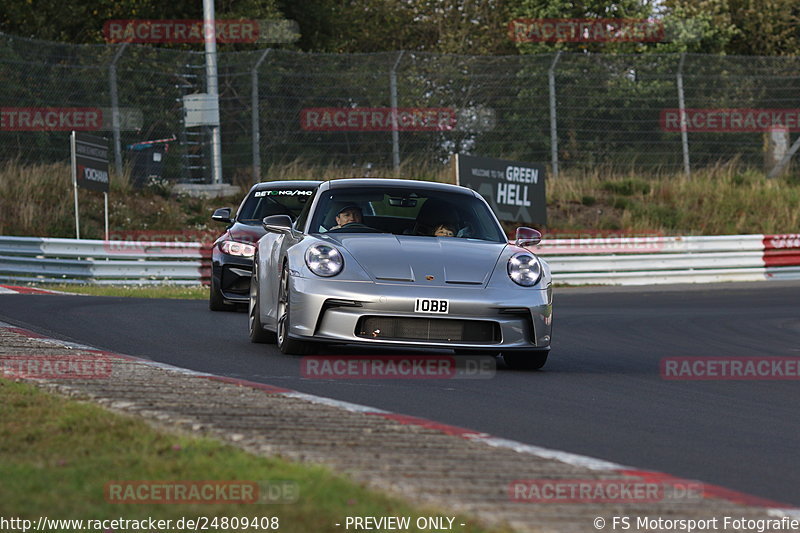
(603, 261)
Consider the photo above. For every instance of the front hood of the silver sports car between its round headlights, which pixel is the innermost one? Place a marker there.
(436, 261)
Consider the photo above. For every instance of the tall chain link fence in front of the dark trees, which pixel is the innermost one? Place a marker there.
(282, 109)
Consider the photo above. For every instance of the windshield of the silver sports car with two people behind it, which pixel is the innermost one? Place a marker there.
(402, 211)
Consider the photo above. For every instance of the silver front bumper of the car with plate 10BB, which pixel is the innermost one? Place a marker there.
(335, 311)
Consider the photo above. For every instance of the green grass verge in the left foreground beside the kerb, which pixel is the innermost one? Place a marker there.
(57, 455)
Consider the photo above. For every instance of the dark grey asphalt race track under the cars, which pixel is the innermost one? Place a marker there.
(601, 394)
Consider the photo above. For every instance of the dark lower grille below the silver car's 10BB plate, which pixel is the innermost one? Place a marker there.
(428, 329)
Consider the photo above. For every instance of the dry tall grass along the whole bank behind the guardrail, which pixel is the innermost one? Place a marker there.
(727, 199)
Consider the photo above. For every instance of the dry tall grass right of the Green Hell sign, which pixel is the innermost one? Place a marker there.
(720, 200)
